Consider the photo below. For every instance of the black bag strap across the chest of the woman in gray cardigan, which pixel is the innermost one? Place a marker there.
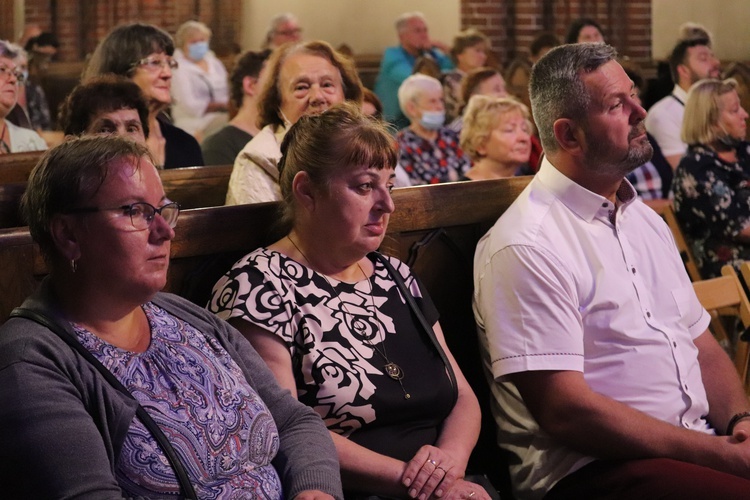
(174, 460)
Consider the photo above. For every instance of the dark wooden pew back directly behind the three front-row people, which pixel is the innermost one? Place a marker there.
(434, 228)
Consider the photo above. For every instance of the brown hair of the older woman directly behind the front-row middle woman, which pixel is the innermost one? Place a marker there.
(270, 96)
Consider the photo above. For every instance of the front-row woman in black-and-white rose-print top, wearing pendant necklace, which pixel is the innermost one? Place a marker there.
(326, 314)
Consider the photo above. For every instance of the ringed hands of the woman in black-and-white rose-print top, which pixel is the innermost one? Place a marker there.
(431, 472)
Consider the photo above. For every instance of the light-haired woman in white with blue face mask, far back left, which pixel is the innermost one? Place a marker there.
(199, 84)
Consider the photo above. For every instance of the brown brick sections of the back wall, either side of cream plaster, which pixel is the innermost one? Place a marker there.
(510, 24)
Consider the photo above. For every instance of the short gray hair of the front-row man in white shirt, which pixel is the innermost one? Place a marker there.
(556, 87)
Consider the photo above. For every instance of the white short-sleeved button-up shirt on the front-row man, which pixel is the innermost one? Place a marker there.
(567, 281)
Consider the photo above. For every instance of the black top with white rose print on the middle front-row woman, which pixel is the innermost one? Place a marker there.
(335, 335)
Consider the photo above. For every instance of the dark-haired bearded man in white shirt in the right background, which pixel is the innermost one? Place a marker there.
(691, 60)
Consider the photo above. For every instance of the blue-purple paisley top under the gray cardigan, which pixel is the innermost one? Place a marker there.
(219, 426)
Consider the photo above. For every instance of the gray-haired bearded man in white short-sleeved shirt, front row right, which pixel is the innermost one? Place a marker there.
(606, 380)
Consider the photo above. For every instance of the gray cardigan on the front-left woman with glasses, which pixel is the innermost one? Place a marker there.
(62, 425)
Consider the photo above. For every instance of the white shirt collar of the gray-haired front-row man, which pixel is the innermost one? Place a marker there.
(584, 203)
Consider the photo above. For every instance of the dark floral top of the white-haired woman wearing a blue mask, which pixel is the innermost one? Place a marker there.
(432, 162)
